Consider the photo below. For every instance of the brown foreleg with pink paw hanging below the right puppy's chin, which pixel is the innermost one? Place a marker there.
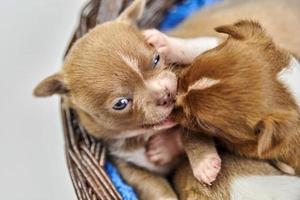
(203, 156)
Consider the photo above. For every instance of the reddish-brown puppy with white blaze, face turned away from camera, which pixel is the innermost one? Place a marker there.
(245, 92)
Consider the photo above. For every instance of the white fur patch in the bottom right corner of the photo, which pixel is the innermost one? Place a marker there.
(266, 188)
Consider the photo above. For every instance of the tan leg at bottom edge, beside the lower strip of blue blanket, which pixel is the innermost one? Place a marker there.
(148, 186)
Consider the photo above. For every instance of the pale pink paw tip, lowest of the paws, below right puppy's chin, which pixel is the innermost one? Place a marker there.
(208, 169)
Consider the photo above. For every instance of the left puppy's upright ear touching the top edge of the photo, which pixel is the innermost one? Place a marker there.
(133, 13)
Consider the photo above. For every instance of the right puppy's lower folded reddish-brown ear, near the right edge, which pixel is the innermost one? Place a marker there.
(273, 130)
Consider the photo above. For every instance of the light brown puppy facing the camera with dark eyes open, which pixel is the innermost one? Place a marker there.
(123, 93)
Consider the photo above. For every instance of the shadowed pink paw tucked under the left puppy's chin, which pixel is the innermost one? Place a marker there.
(163, 148)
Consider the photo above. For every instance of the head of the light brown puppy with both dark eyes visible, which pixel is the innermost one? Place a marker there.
(115, 80)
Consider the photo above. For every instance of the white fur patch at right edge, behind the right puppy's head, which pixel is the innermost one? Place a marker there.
(290, 77)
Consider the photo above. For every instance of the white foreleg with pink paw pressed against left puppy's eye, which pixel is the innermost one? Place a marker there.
(177, 50)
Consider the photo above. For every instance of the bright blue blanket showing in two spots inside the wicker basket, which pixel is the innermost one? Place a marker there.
(173, 17)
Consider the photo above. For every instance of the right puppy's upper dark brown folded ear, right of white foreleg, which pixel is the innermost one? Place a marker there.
(241, 30)
